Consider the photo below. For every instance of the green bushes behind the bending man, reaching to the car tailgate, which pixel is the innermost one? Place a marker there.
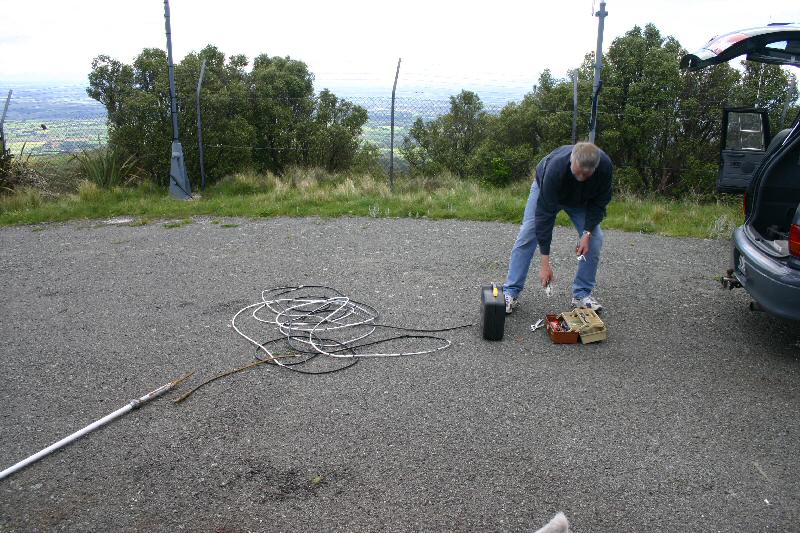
(661, 126)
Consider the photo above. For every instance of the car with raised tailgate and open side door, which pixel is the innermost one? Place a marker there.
(766, 248)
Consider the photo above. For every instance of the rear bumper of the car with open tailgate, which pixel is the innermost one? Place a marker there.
(769, 281)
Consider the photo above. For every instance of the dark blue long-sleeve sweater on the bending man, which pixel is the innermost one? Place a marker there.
(559, 187)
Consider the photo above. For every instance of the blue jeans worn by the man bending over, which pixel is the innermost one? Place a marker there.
(525, 247)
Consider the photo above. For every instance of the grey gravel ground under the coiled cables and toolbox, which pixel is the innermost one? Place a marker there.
(685, 419)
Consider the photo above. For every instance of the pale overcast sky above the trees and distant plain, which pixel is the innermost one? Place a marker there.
(443, 43)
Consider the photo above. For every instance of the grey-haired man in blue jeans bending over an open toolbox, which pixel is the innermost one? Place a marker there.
(576, 179)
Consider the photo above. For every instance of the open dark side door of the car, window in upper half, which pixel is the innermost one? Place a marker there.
(745, 137)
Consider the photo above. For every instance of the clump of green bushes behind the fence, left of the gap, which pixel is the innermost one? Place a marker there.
(268, 119)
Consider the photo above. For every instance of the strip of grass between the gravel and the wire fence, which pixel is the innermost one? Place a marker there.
(316, 193)
